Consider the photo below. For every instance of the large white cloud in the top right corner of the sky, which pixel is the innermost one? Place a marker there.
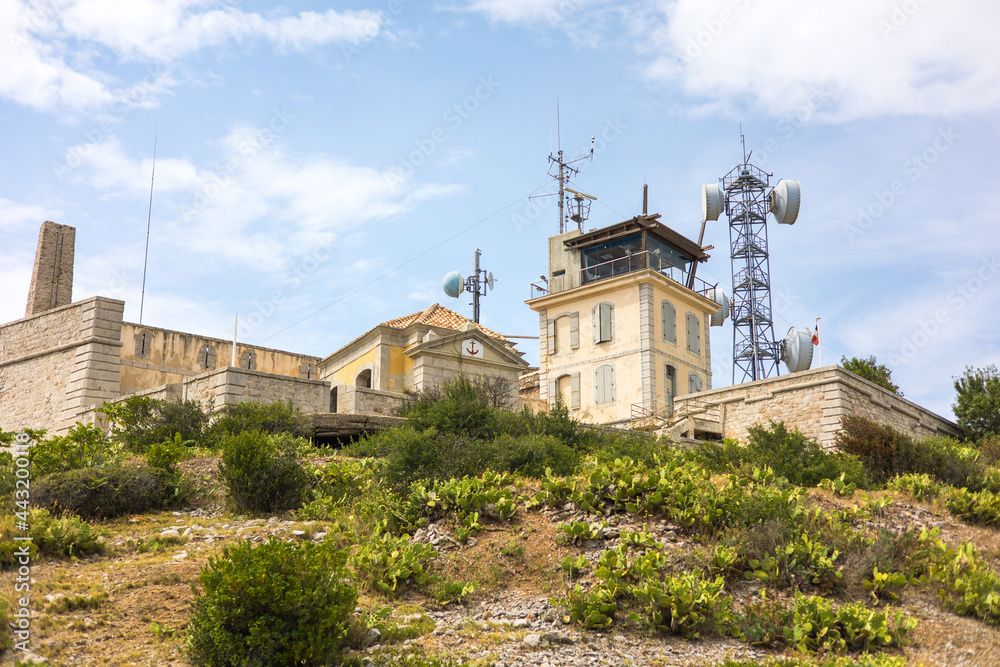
(869, 58)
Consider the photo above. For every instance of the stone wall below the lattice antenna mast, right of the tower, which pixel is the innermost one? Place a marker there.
(815, 402)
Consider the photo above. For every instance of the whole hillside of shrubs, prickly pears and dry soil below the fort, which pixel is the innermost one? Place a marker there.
(474, 535)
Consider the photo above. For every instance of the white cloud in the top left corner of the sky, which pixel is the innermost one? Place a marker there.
(48, 53)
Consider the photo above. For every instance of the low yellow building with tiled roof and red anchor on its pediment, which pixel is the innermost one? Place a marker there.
(421, 351)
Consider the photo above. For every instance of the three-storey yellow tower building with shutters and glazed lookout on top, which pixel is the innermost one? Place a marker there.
(623, 322)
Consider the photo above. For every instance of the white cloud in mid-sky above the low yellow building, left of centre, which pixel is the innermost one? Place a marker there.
(258, 206)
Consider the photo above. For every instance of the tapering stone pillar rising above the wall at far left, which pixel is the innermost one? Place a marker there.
(52, 276)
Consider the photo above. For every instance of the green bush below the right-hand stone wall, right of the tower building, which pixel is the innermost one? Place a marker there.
(790, 454)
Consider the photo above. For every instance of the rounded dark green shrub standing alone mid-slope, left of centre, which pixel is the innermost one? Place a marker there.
(261, 473)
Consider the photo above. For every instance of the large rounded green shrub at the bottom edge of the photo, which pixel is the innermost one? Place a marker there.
(277, 604)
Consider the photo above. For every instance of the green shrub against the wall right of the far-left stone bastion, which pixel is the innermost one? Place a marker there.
(139, 422)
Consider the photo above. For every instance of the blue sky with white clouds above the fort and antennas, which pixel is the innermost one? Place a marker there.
(319, 168)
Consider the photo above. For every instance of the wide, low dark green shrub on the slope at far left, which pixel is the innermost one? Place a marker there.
(102, 492)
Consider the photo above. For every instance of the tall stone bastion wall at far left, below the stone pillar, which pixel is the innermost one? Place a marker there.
(56, 366)
